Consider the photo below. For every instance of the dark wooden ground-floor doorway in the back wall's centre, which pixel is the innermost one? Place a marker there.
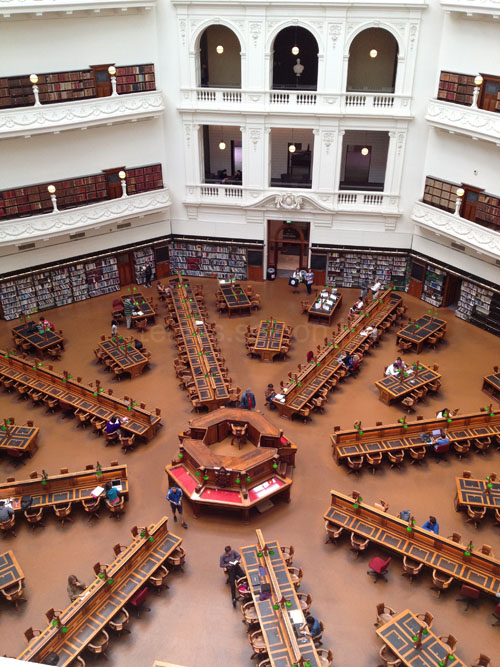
(288, 246)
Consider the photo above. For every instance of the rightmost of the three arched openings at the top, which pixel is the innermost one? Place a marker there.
(373, 62)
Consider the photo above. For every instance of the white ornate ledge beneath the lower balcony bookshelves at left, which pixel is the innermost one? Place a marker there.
(84, 217)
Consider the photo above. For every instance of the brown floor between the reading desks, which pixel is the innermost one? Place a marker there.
(193, 624)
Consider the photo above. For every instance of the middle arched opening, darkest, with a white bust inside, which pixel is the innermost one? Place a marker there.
(295, 60)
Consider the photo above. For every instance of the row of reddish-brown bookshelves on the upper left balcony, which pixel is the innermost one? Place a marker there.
(53, 87)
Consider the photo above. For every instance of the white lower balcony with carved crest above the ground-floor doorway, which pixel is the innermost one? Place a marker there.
(283, 197)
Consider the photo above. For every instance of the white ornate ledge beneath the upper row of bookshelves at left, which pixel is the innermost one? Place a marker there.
(26, 121)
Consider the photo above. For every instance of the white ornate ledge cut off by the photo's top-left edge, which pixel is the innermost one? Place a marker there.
(10, 8)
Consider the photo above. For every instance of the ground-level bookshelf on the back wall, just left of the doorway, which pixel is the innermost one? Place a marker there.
(205, 259)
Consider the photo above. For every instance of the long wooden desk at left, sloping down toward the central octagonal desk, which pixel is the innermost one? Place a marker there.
(140, 422)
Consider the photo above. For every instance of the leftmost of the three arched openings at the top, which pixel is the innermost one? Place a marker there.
(220, 59)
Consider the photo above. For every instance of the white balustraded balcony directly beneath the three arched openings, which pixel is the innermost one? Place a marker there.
(223, 99)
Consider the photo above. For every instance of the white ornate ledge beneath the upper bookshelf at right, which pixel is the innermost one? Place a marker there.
(475, 123)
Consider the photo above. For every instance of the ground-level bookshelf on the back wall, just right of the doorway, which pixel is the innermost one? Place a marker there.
(350, 269)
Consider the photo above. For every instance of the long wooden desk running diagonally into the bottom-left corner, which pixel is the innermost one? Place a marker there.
(86, 617)
